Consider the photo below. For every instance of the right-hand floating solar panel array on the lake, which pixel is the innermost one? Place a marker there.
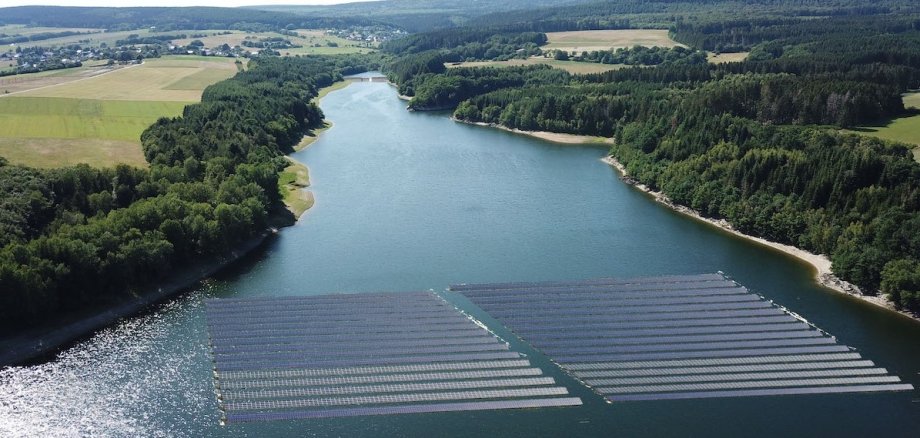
(677, 337)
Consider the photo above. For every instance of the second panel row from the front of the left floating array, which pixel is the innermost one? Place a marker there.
(393, 398)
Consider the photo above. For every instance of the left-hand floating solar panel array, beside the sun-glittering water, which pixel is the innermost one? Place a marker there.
(364, 354)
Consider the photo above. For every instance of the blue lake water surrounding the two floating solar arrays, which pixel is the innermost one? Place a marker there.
(414, 201)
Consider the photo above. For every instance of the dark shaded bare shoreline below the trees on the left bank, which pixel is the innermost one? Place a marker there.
(44, 342)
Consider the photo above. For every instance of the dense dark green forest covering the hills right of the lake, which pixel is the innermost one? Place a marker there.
(757, 143)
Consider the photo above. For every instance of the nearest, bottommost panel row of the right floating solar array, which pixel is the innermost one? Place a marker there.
(764, 392)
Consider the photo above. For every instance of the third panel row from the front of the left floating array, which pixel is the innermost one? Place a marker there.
(232, 394)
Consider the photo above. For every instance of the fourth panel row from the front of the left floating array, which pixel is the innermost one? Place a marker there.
(379, 378)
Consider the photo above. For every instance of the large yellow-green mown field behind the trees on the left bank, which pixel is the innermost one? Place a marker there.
(98, 120)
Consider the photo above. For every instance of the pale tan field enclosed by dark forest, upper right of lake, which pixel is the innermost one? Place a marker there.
(591, 40)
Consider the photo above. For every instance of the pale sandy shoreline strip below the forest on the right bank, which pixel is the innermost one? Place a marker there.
(820, 263)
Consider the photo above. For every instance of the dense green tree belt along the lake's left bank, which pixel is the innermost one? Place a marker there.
(78, 236)
